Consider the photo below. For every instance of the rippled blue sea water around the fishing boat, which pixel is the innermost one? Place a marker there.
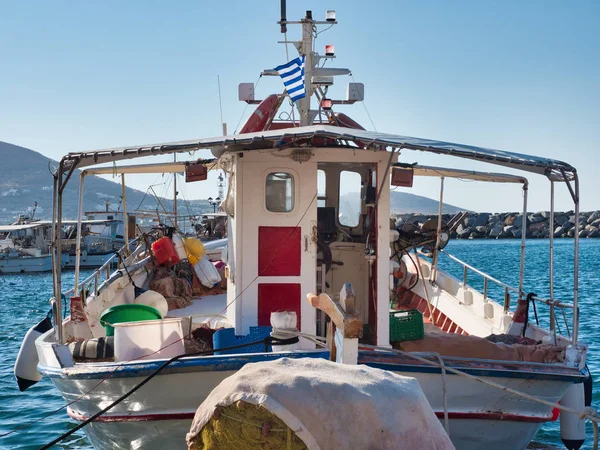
(24, 302)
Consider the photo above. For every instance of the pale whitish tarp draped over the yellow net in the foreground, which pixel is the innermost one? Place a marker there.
(331, 406)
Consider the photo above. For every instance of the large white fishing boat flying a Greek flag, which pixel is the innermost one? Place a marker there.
(292, 246)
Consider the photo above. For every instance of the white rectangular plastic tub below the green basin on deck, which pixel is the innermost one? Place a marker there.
(148, 339)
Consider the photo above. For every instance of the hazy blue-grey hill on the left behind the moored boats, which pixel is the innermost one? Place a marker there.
(26, 179)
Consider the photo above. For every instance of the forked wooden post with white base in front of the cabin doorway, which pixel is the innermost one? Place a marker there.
(346, 327)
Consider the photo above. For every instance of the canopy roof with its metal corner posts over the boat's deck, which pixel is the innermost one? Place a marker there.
(307, 136)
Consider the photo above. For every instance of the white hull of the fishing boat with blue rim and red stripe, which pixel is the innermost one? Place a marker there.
(159, 414)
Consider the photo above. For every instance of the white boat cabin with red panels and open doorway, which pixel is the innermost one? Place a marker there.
(307, 221)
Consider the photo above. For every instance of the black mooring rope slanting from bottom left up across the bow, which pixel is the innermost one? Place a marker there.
(267, 341)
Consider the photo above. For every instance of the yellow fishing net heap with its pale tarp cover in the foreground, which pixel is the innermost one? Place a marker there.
(315, 404)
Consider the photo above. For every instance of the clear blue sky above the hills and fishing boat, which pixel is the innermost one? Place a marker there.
(519, 76)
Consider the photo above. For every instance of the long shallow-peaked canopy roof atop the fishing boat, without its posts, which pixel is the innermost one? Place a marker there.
(329, 136)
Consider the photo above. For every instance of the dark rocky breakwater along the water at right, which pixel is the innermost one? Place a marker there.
(512, 225)
